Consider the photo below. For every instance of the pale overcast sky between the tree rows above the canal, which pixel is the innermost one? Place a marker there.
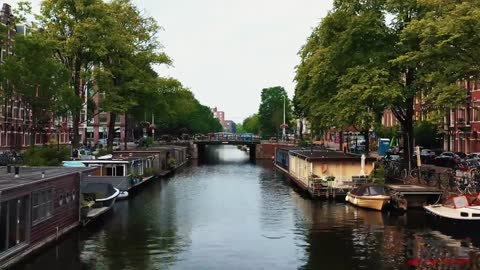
(227, 51)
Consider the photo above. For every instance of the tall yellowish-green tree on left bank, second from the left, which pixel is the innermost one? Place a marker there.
(76, 30)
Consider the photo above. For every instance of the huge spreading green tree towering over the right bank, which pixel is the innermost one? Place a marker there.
(358, 62)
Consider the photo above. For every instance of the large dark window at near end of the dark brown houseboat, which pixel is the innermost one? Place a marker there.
(13, 222)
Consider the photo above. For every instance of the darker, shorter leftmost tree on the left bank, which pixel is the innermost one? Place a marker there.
(38, 77)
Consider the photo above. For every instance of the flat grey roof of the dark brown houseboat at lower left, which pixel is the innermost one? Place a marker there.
(28, 175)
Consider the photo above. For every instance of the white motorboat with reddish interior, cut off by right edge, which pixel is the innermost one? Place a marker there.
(457, 208)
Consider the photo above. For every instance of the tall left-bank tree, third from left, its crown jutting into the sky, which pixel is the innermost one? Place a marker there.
(126, 69)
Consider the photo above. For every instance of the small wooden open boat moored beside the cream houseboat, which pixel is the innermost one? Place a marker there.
(370, 196)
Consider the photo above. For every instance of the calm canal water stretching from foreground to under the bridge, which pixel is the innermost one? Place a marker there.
(230, 213)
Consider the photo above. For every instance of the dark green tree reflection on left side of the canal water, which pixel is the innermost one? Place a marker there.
(143, 235)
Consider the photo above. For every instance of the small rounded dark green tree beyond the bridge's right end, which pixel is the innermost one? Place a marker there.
(270, 113)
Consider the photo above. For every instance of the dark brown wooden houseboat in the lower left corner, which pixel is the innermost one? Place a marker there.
(37, 206)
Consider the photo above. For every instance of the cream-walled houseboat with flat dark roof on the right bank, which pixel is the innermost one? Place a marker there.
(322, 173)
